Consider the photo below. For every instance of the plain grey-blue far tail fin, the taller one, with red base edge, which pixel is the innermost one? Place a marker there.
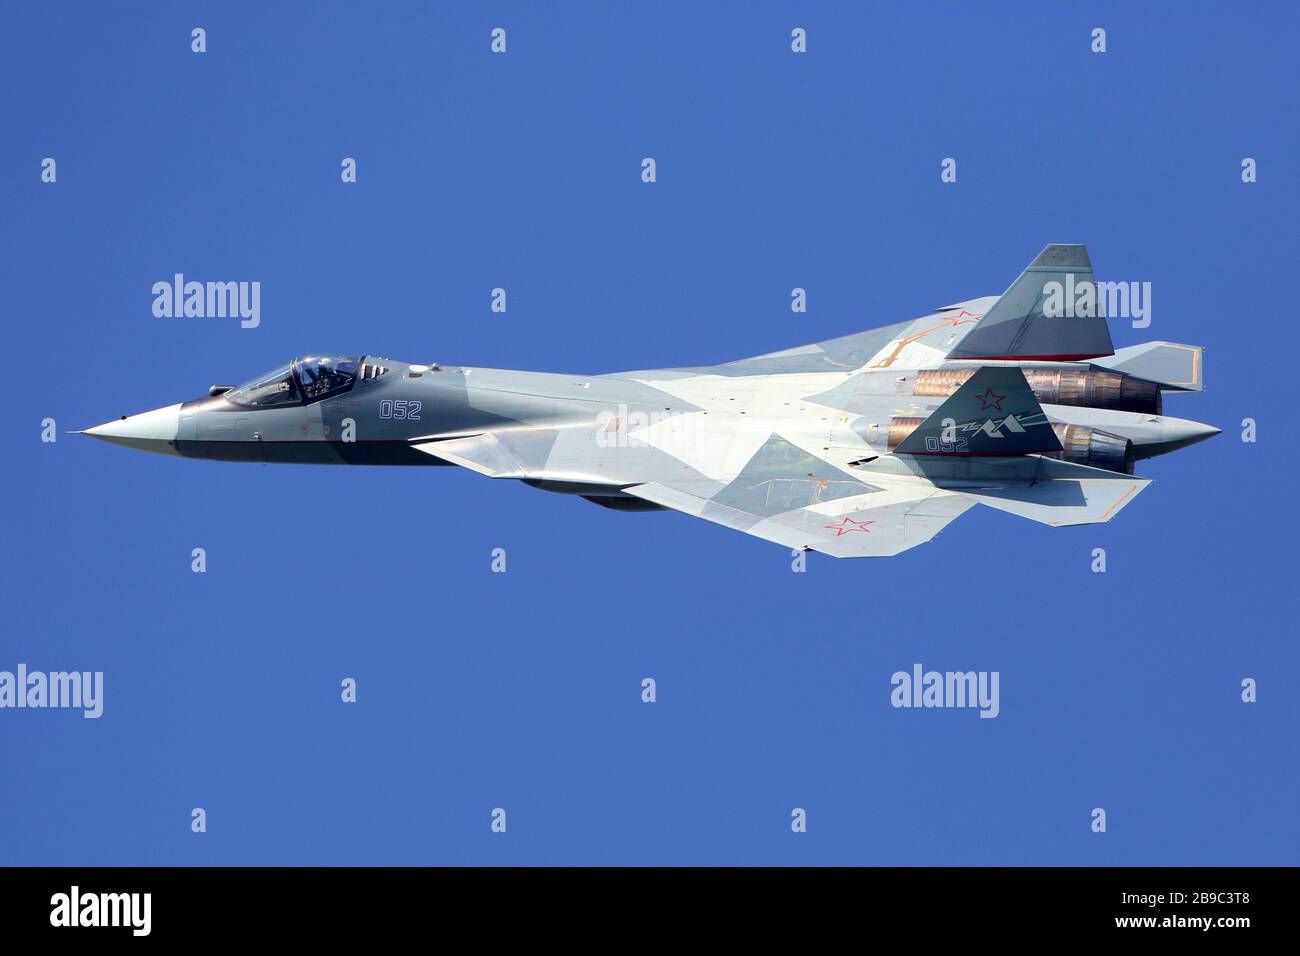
(1019, 328)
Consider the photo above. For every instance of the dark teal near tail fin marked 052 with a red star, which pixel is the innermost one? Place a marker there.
(994, 413)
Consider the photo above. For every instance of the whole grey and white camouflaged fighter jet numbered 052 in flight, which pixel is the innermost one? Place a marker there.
(857, 447)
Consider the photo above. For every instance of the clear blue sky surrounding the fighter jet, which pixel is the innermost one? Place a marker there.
(522, 691)
